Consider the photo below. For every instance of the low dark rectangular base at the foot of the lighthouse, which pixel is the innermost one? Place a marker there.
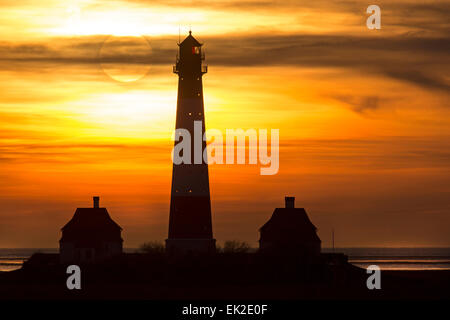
(190, 246)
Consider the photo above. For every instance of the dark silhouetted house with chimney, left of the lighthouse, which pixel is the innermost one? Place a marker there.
(90, 236)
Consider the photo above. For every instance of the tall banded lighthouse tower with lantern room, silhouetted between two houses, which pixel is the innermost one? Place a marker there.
(190, 227)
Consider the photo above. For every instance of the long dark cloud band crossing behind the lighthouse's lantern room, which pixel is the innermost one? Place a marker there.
(421, 61)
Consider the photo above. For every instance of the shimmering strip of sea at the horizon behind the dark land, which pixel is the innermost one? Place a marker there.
(385, 258)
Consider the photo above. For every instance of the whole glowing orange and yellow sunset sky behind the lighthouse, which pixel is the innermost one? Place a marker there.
(88, 103)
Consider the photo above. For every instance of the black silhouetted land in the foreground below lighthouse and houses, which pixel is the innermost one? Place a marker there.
(218, 277)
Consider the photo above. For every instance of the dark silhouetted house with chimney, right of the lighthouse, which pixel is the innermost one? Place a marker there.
(289, 230)
